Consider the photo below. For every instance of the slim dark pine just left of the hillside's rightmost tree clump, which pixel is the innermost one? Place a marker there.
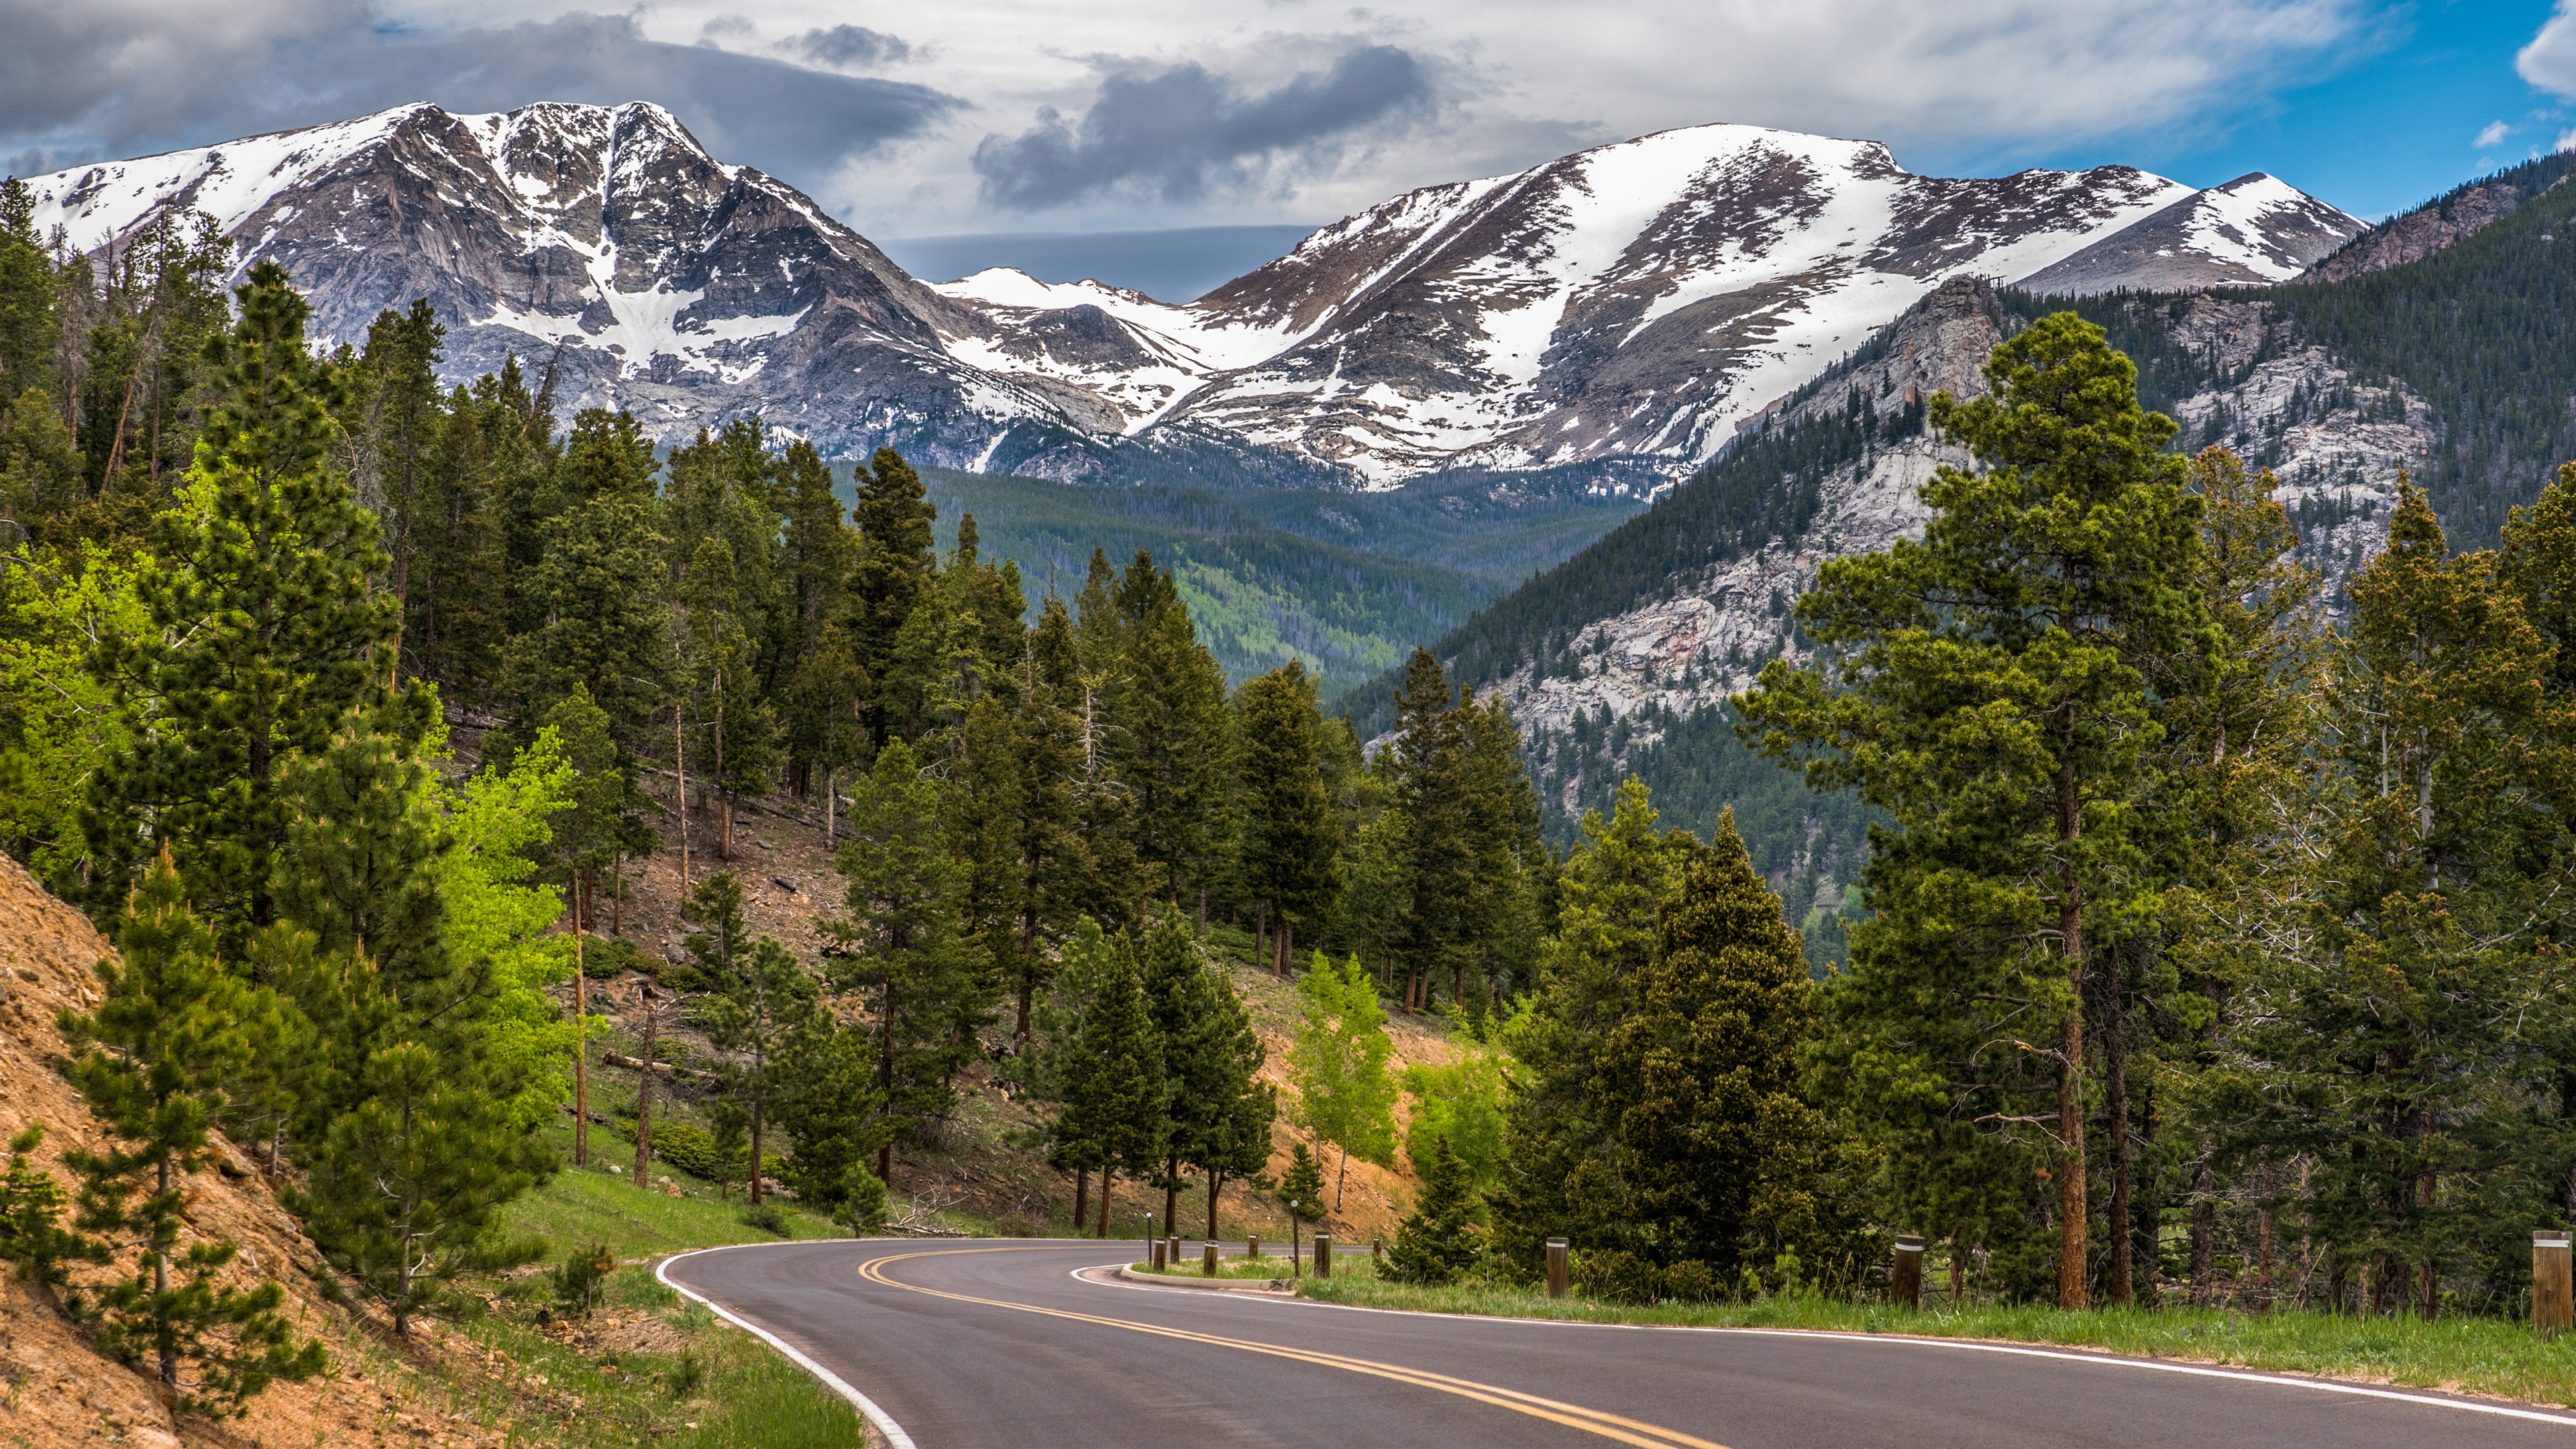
(1289, 839)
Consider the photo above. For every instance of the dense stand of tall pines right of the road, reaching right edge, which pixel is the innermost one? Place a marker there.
(2188, 906)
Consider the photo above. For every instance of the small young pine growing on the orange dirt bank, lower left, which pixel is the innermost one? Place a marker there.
(151, 1069)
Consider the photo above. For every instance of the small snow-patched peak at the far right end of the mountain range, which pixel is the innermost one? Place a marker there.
(2248, 233)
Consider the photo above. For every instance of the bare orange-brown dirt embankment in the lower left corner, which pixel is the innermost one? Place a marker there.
(53, 1388)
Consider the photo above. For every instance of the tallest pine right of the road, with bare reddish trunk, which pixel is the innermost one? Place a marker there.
(1985, 687)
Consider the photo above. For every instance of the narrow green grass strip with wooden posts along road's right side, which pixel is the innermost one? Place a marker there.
(2454, 1355)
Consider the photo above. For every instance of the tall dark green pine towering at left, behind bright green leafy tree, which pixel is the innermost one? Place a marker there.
(264, 633)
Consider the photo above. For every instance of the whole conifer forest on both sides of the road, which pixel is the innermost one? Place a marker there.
(2211, 940)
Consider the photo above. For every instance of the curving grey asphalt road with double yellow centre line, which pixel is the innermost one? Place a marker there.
(1006, 1347)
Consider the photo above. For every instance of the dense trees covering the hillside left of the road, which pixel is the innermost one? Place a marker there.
(238, 643)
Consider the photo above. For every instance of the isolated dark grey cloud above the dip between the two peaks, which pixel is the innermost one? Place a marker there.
(1186, 133)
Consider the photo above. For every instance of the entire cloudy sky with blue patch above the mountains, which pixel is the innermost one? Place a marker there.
(1037, 120)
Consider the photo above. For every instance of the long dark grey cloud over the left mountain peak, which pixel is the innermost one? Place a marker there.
(169, 76)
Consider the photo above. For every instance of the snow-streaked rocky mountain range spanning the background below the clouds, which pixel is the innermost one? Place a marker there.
(1624, 306)
